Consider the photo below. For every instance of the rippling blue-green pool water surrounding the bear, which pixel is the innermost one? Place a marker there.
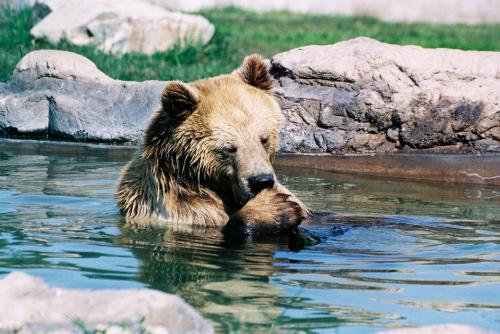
(399, 254)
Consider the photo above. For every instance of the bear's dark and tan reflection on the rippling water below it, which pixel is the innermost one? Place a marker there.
(229, 285)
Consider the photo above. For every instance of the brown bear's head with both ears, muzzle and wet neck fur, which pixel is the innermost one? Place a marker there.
(219, 133)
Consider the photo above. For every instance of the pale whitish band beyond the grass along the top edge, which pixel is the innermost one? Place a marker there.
(444, 11)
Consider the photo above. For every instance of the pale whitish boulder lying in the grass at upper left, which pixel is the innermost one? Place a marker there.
(118, 26)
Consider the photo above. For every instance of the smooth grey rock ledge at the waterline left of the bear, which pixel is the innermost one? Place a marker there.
(62, 94)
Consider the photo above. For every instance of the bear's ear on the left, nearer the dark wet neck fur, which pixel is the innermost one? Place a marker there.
(179, 100)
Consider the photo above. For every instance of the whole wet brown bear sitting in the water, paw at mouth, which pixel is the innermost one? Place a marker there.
(206, 158)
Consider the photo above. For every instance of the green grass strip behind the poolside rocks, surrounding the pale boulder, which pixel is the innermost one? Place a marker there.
(239, 33)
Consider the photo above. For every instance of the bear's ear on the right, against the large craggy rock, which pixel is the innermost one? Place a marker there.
(255, 72)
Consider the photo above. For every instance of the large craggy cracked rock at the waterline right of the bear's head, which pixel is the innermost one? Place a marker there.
(382, 97)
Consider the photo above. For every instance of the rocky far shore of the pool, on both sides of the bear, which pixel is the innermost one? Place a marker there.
(359, 95)
